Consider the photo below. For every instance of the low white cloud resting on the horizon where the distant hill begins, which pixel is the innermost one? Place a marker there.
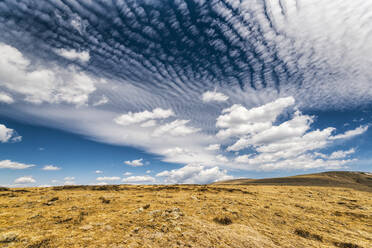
(194, 174)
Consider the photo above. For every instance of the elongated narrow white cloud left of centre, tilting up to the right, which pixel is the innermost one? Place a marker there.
(133, 118)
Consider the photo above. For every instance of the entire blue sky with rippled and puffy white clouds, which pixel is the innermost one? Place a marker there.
(185, 91)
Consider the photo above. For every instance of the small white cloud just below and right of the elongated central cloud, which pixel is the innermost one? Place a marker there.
(175, 128)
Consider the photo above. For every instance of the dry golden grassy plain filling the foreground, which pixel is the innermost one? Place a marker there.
(186, 216)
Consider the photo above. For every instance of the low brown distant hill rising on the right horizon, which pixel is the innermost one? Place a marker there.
(357, 180)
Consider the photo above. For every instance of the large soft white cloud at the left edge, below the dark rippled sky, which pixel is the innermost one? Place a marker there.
(38, 85)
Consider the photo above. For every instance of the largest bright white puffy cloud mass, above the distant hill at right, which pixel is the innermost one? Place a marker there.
(290, 144)
